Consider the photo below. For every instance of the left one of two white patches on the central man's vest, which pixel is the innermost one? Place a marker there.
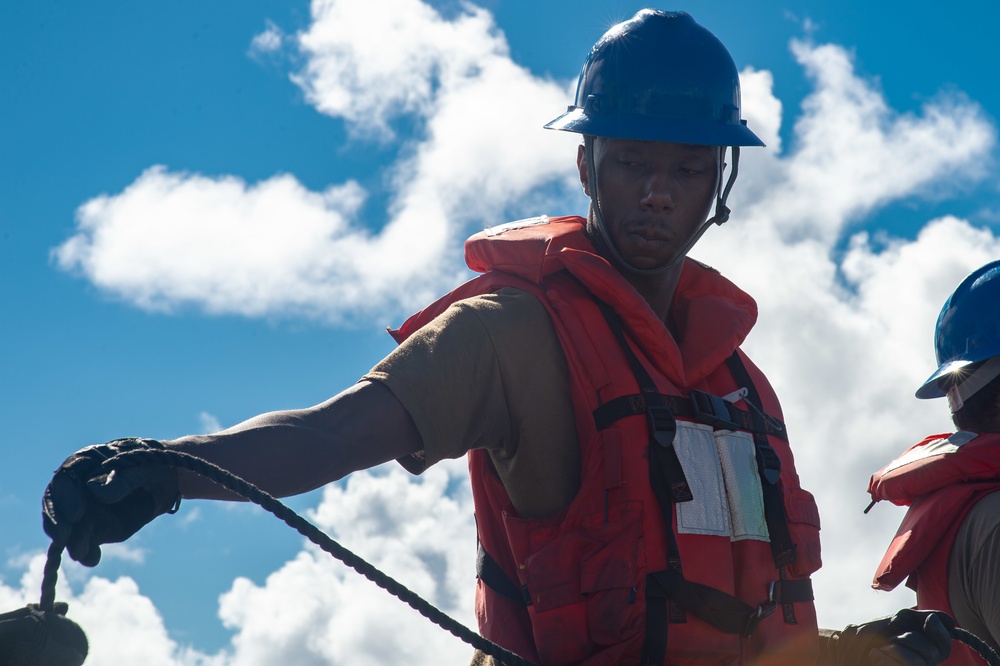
(708, 512)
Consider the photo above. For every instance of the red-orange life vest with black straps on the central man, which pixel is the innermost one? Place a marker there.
(608, 580)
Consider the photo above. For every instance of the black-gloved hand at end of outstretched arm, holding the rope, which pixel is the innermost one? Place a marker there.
(92, 501)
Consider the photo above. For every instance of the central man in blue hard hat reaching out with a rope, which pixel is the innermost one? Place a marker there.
(636, 495)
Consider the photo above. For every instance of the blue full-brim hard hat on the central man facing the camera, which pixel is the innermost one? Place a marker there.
(659, 76)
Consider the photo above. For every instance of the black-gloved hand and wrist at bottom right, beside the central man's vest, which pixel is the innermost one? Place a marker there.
(908, 638)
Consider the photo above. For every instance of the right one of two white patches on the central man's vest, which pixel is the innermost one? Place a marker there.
(743, 490)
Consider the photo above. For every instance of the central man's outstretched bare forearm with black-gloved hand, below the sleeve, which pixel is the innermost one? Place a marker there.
(89, 503)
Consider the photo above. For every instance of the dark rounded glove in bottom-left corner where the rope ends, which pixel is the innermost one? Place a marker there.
(32, 637)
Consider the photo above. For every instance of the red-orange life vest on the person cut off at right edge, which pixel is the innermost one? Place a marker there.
(939, 479)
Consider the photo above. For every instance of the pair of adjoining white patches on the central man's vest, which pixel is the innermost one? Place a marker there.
(721, 470)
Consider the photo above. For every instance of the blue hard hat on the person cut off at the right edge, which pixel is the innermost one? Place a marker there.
(968, 329)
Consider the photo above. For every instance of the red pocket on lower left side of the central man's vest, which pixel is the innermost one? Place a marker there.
(581, 576)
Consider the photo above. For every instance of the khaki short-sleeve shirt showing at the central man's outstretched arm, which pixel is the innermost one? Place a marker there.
(489, 373)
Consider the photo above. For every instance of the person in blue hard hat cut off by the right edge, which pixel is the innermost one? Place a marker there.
(948, 545)
